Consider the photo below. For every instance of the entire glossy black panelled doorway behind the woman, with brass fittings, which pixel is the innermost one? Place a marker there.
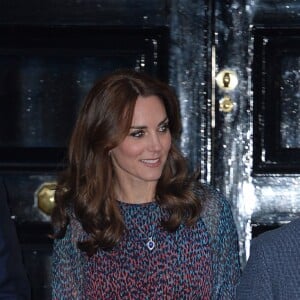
(234, 65)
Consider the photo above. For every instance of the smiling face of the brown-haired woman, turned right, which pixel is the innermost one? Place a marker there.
(141, 156)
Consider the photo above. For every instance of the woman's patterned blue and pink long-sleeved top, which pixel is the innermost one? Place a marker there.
(191, 263)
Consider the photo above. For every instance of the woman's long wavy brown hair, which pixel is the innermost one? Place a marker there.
(87, 185)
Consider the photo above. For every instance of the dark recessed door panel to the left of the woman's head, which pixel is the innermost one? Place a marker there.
(41, 95)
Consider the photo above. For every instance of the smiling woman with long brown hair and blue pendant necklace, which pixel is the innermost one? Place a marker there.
(130, 223)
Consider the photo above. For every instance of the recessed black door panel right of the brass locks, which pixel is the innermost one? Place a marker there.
(276, 106)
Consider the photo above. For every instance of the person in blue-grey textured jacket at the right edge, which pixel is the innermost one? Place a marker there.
(273, 268)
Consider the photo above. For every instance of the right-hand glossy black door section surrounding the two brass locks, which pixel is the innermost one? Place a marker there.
(257, 145)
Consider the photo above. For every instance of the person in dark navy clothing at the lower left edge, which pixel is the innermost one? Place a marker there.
(14, 284)
